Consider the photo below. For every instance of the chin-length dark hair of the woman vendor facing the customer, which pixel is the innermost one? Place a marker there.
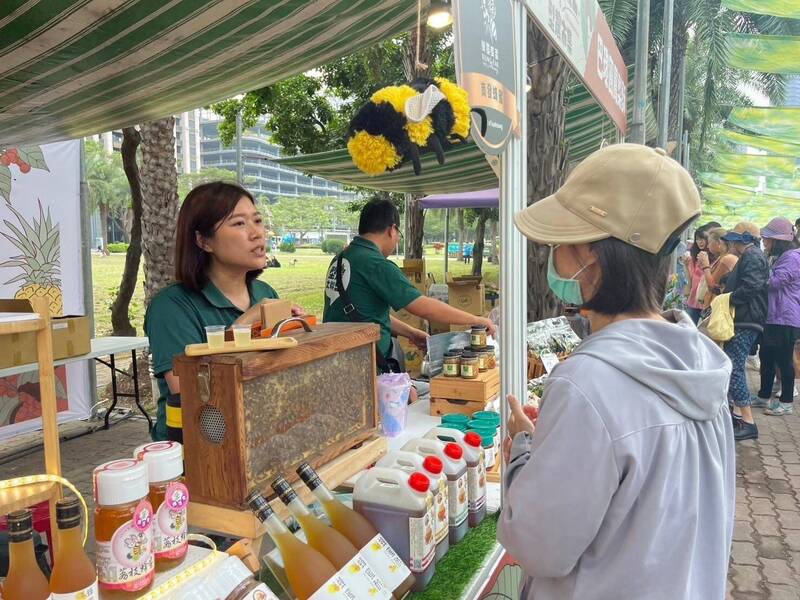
(202, 209)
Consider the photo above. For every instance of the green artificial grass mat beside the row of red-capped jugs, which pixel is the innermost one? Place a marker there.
(456, 570)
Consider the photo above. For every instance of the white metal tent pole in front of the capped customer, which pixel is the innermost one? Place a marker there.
(513, 257)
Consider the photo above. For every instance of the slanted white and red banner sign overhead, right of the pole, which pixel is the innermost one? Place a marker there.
(579, 32)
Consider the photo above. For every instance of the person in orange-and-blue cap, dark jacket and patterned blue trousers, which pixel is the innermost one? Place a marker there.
(747, 284)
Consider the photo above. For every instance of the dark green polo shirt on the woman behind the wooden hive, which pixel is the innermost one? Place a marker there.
(178, 316)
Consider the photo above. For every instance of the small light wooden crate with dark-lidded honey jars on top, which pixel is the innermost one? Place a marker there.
(465, 396)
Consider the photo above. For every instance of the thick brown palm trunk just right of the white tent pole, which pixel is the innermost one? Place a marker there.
(547, 153)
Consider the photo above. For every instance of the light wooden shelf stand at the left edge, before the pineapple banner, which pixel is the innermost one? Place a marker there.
(24, 496)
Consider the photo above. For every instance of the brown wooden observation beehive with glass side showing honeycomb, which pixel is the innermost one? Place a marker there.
(249, 417)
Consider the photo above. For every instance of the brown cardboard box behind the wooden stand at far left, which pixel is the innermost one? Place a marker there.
(70, 337)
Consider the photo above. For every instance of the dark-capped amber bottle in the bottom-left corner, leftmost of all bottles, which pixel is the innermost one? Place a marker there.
(25, 580)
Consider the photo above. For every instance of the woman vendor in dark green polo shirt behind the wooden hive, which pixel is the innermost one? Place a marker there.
(219, 253)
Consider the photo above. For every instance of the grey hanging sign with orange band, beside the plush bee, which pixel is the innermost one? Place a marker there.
(485, 67)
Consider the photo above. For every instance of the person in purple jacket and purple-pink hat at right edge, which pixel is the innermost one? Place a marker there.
(782, 329)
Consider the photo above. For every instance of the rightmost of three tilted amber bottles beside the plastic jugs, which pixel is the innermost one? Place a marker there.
(355, 527)
